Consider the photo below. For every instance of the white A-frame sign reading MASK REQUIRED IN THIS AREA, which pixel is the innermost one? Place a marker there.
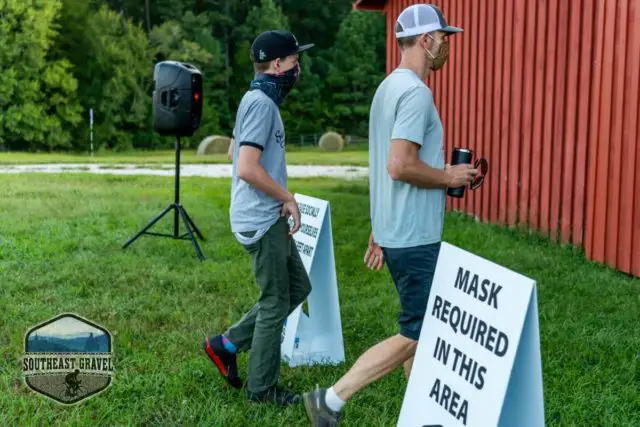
(478, 357)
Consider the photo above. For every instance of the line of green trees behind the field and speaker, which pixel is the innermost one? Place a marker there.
(61, 58)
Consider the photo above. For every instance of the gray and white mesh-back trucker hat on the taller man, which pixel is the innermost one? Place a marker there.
(423, 18)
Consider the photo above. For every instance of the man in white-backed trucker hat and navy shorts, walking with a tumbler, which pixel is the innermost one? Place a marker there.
(408, 179)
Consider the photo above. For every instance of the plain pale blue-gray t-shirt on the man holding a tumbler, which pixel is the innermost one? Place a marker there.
(403, 215)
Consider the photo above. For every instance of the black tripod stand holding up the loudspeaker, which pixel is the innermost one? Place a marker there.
(179, 212)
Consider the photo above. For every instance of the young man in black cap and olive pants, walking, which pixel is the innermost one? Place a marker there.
(260, 207)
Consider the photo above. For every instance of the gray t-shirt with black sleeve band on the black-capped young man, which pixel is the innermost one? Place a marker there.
(258, 124)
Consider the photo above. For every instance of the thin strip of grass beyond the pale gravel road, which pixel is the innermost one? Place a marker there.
(354, 156)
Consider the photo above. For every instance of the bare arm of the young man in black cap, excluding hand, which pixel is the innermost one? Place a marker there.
(251, 171)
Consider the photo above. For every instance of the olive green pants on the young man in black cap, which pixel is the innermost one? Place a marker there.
(284, 285)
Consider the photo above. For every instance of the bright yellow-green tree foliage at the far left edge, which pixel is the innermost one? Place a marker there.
(38, 102)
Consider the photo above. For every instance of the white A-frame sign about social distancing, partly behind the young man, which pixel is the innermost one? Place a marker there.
(315, 338)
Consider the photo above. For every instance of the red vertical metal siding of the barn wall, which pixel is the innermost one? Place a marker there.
(549, 92)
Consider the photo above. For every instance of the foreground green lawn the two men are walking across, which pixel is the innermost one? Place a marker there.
(60, 250)
